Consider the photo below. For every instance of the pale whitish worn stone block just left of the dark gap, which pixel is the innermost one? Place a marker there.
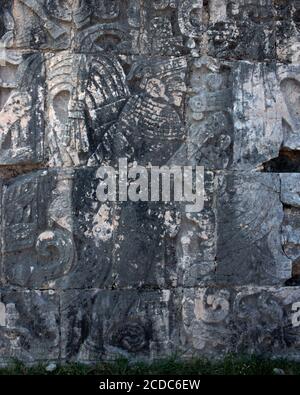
(257, 115)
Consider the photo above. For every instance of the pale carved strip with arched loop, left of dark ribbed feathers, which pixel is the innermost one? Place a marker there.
(67, 139)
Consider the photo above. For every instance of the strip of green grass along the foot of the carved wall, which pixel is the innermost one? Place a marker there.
(230, 365)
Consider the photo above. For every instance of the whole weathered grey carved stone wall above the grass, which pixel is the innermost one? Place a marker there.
(168, 82)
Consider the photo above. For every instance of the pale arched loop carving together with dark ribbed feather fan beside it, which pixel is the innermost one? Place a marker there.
(85, 97)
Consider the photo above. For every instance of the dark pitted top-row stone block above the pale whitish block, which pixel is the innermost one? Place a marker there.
(242, 29)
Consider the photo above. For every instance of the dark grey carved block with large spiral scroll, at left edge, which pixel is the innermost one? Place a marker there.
(37, 250)
